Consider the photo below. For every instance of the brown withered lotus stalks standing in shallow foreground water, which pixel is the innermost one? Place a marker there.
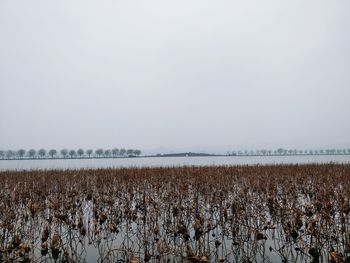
(278, 213)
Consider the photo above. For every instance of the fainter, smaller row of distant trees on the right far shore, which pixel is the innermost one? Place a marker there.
(281, 151)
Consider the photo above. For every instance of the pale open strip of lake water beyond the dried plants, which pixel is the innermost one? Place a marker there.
(167, 161)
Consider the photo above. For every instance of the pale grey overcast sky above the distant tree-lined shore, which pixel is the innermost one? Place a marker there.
(174, 75)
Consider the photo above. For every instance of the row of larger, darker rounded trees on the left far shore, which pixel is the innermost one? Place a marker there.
(65, 153)
